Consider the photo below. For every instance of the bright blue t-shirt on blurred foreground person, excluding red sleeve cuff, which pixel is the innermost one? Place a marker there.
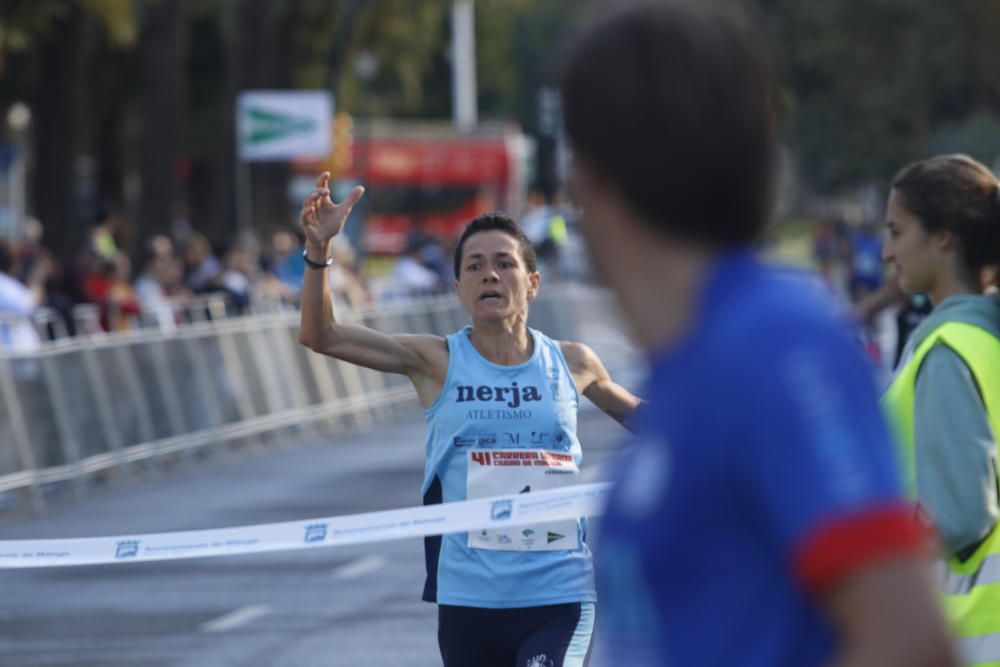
(762, 427)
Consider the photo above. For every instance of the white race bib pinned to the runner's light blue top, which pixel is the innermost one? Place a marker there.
(497, 472)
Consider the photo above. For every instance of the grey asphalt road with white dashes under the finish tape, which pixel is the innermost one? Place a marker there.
(338, 606)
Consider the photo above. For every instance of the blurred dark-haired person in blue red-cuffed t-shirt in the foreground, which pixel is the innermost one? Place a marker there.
(757, 518)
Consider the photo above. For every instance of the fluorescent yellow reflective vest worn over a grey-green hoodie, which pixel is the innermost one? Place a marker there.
(971, 588)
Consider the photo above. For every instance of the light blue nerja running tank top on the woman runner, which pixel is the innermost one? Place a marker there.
(496, 430)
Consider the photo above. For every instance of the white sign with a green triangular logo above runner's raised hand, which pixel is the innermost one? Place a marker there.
(280, 125)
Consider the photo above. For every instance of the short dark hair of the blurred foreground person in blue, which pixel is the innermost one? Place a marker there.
(673, 102)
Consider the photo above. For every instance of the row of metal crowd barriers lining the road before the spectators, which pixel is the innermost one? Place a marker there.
(76, 406)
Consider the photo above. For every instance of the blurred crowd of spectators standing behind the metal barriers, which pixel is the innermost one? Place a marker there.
(102, 287)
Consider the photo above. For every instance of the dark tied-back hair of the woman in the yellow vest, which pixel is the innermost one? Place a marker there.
(957, 194)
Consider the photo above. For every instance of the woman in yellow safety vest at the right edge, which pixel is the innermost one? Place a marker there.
(943, 221)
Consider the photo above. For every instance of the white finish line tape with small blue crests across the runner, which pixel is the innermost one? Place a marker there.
(457, 517)
